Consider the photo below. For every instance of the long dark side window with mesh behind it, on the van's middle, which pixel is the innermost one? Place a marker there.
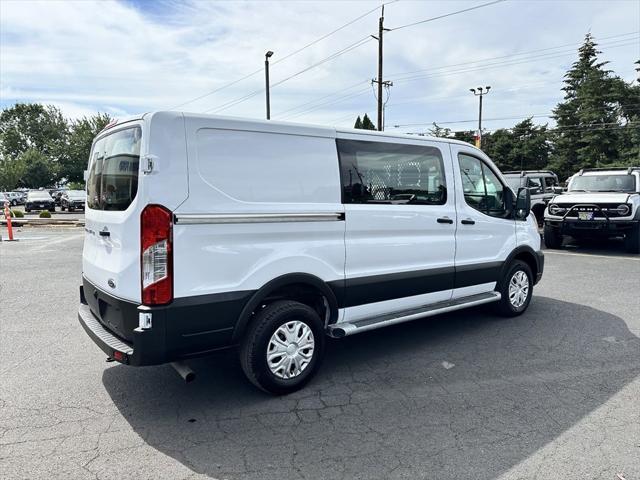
(389, 173)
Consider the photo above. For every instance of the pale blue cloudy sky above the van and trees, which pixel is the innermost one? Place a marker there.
(132, 56)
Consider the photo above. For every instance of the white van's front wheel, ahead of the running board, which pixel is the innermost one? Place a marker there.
(516, 289)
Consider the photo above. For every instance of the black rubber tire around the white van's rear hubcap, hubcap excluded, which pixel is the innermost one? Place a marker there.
(255, 344)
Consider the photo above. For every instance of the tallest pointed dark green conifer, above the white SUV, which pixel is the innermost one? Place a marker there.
(588, 119)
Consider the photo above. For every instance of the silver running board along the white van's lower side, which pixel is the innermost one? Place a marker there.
(340, 330)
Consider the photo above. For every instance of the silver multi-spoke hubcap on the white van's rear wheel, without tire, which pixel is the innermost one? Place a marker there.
(290, 349)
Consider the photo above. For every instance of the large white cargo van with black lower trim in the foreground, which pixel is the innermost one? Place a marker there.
(207, 232)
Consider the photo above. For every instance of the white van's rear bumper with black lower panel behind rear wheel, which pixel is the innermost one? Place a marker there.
(185, 328)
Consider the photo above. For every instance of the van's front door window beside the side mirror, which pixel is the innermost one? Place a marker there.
(482, 188)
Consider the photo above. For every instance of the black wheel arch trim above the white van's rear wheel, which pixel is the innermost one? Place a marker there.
(301, 287)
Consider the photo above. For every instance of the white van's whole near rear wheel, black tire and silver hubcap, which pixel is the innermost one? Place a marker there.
(283, 347)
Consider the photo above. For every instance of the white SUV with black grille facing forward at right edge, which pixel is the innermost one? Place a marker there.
(601, 203)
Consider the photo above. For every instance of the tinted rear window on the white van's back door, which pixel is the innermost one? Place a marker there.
(113, 170)
